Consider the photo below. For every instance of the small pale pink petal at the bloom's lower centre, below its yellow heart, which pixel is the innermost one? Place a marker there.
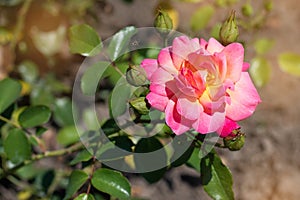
(189, 108)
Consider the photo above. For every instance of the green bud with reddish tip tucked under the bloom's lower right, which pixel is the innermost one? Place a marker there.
(235, 141)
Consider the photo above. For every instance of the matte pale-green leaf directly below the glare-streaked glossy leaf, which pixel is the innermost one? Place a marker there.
(91, 77)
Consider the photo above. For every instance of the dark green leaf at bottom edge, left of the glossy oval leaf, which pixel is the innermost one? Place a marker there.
(76, 181)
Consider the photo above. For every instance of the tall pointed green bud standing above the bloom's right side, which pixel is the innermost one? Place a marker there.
(229, 31)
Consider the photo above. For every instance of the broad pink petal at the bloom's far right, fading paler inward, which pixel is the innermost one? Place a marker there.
(244, 99)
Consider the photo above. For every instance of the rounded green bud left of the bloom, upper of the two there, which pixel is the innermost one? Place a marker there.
(136, 76)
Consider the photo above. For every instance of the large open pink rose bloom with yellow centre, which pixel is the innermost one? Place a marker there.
(201, 85)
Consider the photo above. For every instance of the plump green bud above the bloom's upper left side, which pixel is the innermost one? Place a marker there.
(163, 22)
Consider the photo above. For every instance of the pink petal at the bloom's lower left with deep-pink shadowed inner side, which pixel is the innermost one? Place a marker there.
(175, 121)
